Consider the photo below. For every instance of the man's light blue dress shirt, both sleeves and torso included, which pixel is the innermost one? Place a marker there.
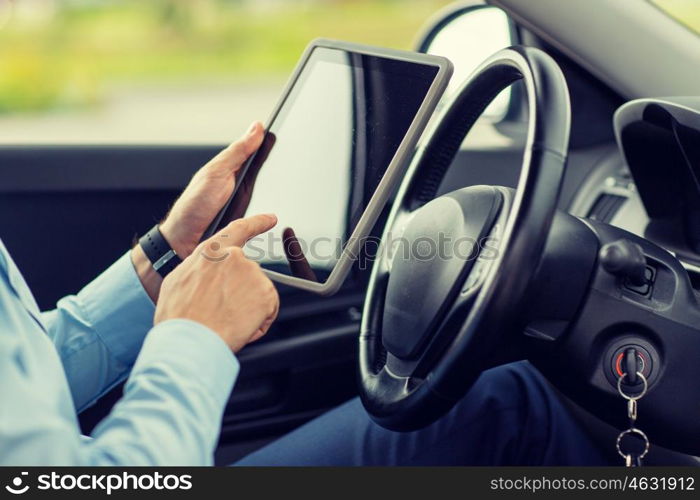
(56, 363)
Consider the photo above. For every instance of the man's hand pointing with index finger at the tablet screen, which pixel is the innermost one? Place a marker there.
(220, 288)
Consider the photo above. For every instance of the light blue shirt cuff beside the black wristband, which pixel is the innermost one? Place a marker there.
(119, 309)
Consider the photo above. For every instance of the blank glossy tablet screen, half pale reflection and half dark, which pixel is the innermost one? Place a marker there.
(325, 151)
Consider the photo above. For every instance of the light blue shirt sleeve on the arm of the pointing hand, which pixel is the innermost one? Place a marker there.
(177, 393)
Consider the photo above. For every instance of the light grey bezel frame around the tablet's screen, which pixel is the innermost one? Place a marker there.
(394, 172)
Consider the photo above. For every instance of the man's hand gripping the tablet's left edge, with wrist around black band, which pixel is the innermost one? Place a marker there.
(199, 203)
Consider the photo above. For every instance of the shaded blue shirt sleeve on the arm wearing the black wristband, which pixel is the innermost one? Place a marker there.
(98, 332)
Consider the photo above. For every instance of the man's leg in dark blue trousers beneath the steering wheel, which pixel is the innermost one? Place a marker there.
(511, 416)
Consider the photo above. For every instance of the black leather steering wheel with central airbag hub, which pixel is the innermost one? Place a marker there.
(444, 297)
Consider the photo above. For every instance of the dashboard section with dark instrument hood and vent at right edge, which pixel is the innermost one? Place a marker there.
(650, 184)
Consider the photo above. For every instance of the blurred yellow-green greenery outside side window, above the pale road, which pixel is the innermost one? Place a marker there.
(69, 53)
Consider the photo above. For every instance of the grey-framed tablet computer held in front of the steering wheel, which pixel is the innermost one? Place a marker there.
(335, 148)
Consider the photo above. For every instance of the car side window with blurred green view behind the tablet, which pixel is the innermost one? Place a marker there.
(168, 71)
